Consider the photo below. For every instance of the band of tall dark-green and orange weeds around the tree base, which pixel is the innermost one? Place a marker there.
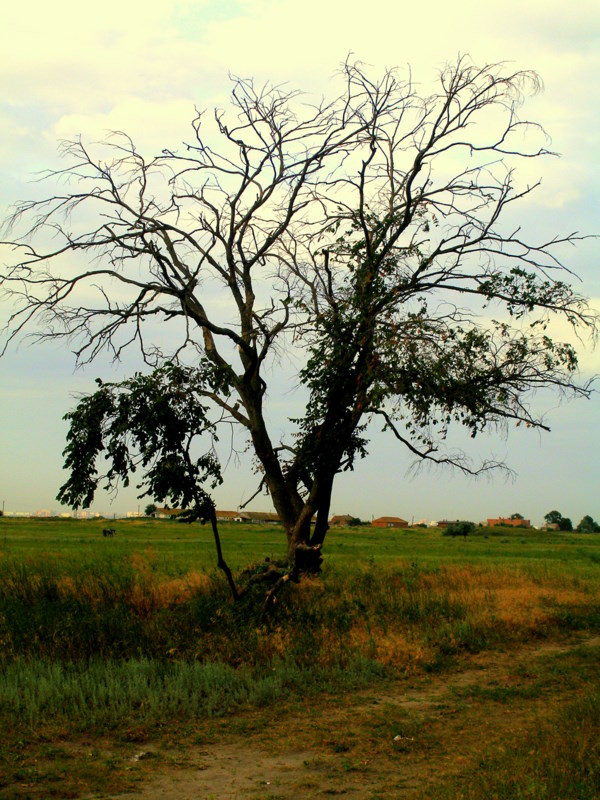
(404, 615)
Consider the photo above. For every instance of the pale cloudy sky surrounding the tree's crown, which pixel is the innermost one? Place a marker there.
(70, 68)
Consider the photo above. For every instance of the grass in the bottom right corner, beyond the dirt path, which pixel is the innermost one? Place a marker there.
(558, 756)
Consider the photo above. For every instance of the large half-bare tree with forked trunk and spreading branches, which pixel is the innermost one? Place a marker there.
(365, 236)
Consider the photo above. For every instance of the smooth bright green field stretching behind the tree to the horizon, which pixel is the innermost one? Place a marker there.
(178, 547)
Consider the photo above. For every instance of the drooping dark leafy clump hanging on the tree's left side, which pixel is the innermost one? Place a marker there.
(149, 422)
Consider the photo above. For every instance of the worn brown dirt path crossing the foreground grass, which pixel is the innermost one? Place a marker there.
(374, 744)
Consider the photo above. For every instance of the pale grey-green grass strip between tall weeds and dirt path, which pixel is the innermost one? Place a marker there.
(104, 695)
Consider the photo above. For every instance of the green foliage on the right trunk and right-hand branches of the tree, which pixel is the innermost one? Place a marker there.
(371, 350)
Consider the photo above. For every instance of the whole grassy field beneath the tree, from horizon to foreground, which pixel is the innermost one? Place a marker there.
(134, 639)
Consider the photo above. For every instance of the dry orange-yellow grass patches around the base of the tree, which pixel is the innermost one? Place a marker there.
(400, 616)
